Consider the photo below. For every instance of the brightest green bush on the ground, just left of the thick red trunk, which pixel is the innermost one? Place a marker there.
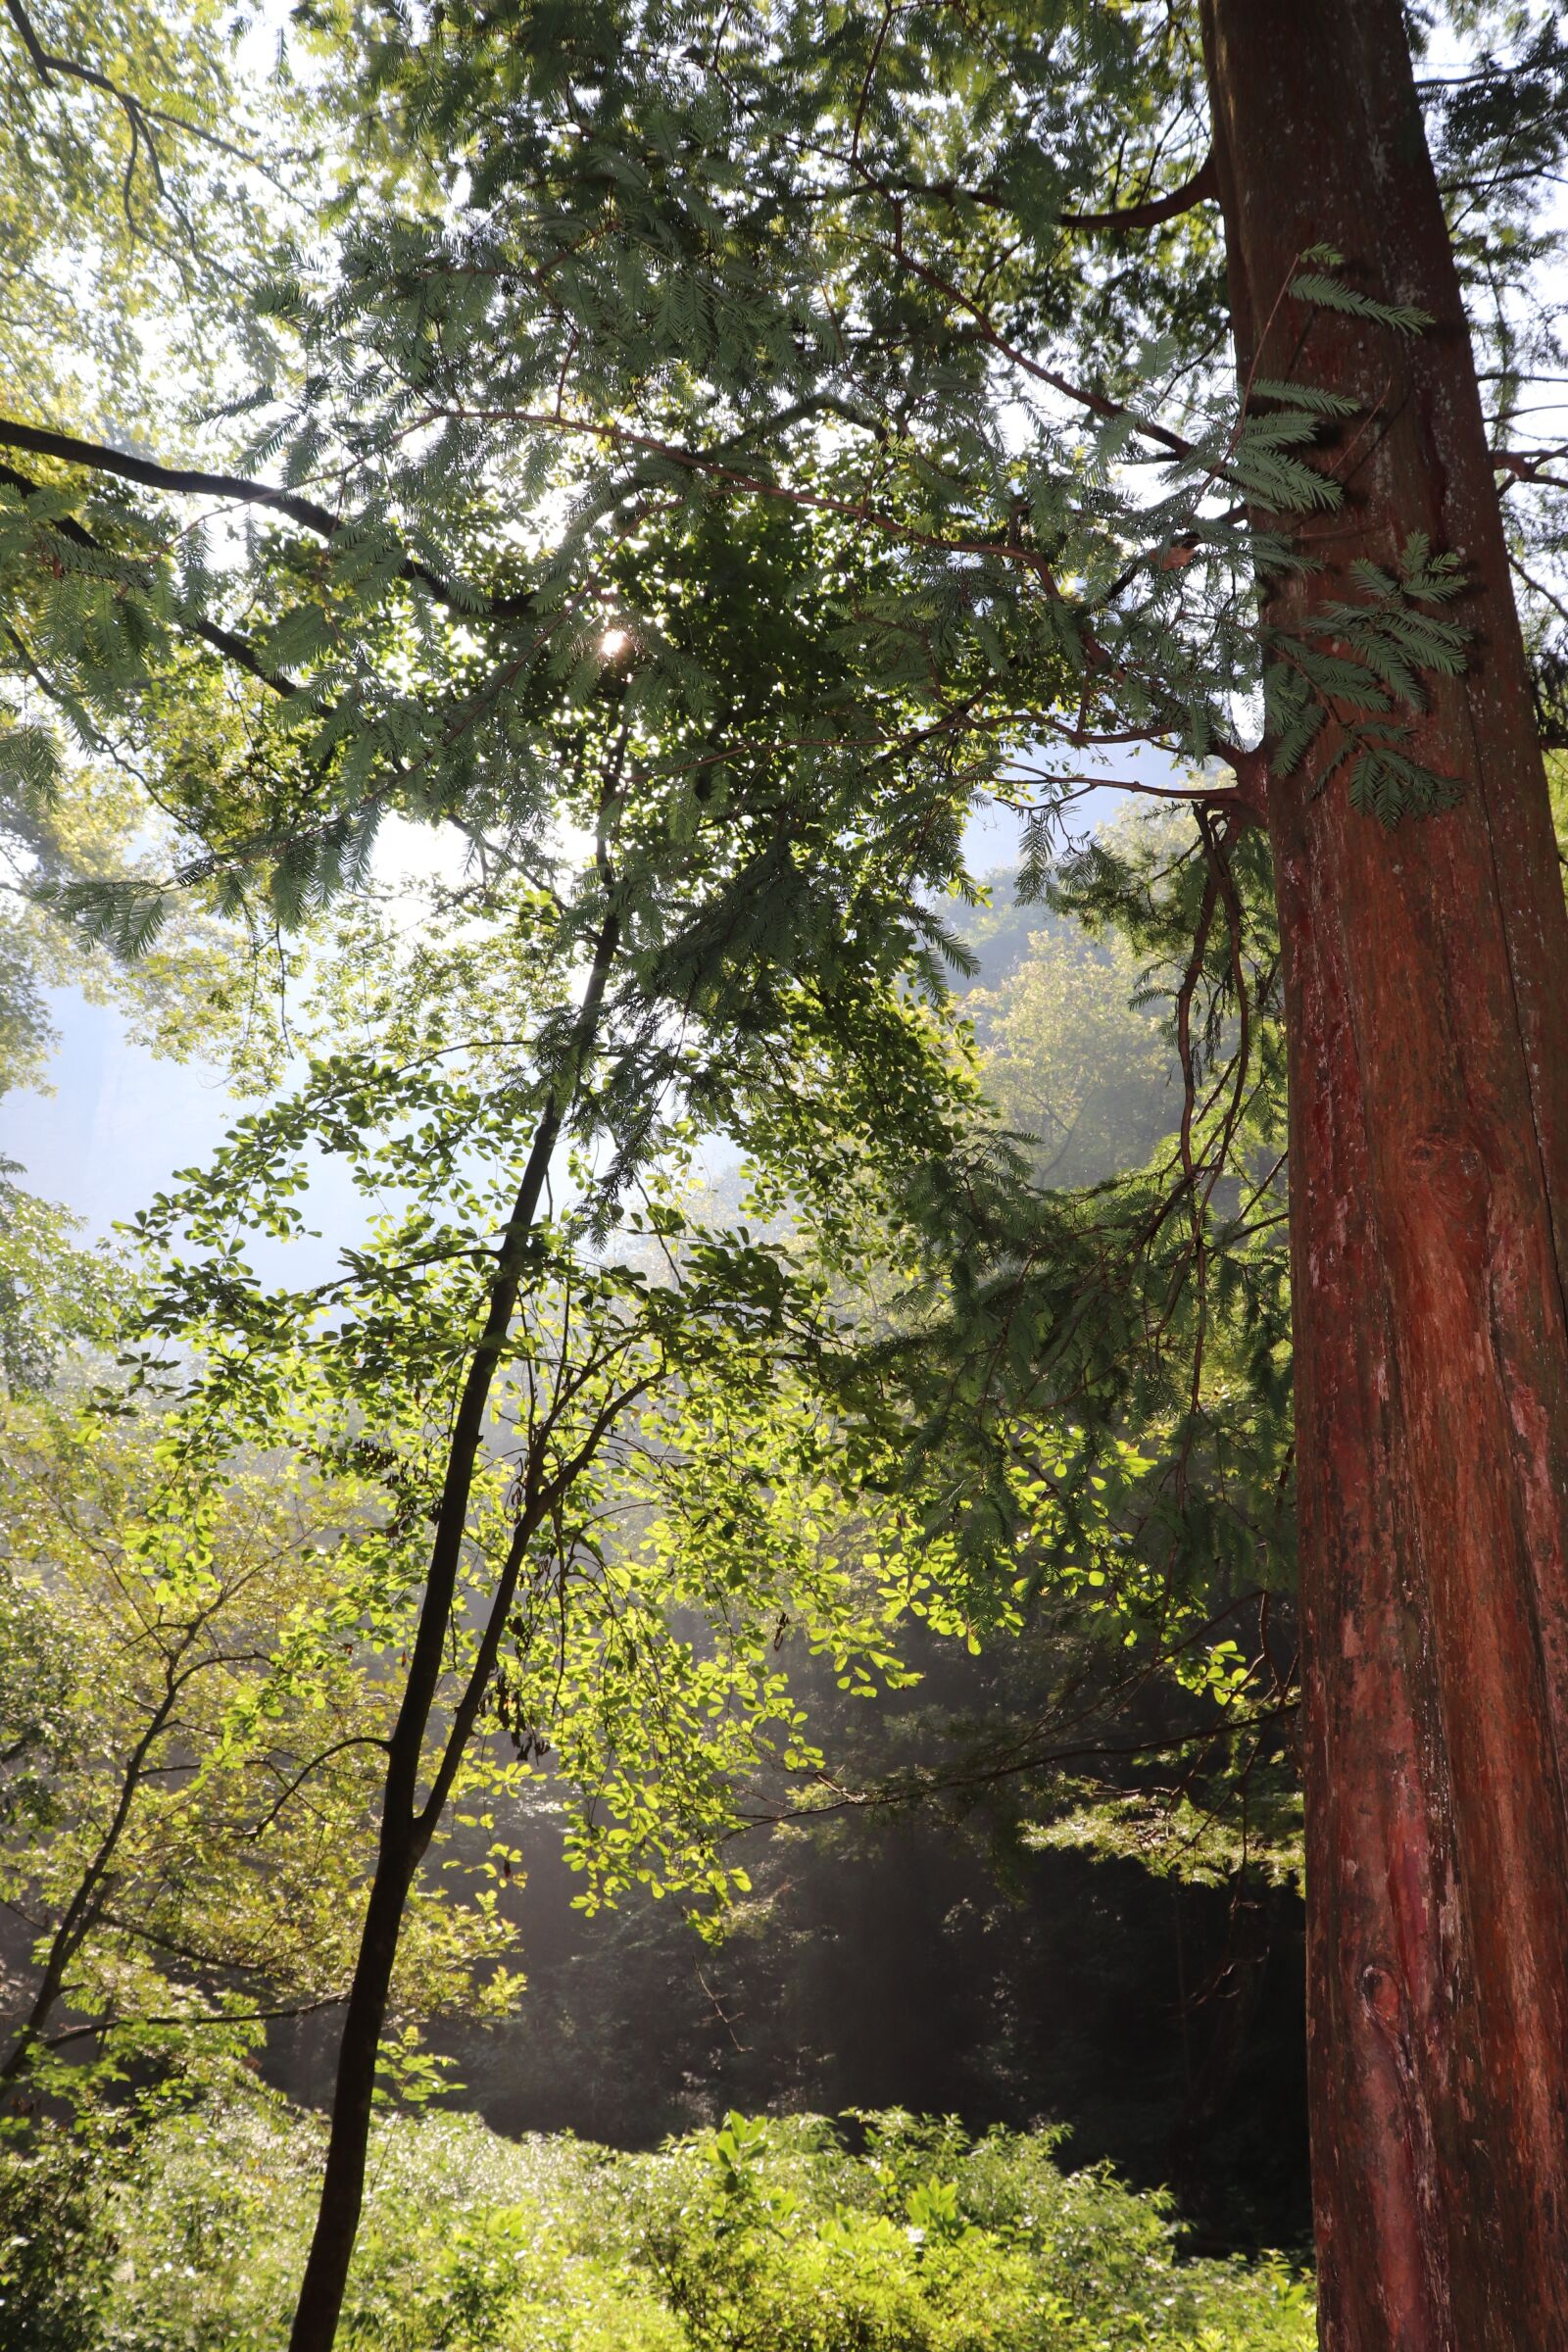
(772, 2238)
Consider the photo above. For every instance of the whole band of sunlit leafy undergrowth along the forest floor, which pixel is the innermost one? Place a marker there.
(760, 2238)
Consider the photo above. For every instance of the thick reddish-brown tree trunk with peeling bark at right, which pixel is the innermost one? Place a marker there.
(1428, 1022)
